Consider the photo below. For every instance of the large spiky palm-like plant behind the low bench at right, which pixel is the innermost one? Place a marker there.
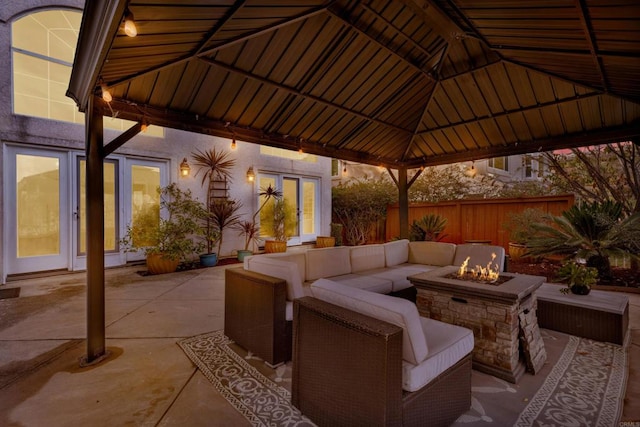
(590, 231)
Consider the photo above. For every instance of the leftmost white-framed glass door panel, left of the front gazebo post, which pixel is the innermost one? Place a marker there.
(37, 216)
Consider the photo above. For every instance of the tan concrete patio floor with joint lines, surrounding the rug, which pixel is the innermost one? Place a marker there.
(147, 380)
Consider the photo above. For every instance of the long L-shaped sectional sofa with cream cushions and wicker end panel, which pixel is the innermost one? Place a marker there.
(259, 296)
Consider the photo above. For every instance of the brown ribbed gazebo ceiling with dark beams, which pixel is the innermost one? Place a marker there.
(396, 83)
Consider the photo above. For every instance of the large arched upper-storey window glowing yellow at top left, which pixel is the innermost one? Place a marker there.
(43, 48)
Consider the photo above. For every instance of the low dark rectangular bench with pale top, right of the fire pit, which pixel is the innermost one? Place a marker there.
(600, 316)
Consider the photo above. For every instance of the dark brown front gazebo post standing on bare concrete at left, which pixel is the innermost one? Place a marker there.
(96, 349)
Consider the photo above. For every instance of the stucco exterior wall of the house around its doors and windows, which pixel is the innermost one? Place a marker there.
(24, 131)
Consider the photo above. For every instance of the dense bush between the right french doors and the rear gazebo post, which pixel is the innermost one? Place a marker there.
(359, 204)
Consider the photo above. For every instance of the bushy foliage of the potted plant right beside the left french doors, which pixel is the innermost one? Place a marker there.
(172, 235)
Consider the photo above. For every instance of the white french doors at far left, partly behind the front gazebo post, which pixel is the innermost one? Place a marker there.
(44, 201)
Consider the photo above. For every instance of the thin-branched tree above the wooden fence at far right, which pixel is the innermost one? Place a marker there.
(599, 173)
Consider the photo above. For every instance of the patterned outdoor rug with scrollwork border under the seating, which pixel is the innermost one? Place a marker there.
(582, 383)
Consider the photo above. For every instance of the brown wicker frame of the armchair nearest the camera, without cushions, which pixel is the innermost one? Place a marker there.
(347, 371)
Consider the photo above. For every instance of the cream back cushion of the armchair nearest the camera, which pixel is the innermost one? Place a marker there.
(397, 311)
